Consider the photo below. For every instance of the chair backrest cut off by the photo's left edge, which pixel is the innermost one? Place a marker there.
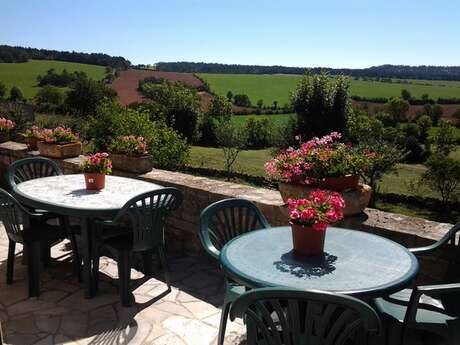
(13, 216)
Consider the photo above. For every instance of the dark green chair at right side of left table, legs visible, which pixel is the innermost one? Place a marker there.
(139, 226)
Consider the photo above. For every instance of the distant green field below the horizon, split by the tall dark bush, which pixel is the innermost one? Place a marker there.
(278, 87)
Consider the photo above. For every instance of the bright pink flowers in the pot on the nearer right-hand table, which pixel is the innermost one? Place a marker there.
(319, 210)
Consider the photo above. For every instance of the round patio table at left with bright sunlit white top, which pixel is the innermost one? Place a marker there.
(67, 195)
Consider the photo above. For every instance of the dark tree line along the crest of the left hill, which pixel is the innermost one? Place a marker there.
(10, 54)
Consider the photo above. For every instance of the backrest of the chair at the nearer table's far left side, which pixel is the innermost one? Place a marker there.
(226, 219)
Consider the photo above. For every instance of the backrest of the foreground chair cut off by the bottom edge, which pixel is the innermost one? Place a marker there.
(292, 317)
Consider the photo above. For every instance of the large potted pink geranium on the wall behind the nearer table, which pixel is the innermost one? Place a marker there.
(320, 162)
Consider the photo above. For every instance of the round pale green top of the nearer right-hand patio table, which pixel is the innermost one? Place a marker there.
(354, 263)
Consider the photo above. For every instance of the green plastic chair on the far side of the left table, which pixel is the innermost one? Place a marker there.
(36, 167)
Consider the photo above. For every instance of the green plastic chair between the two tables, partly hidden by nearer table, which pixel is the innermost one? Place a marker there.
(219, 223)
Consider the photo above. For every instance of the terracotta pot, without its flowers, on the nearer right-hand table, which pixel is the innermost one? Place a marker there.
(307, 241)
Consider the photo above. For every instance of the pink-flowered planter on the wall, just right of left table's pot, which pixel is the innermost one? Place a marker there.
(130, 153)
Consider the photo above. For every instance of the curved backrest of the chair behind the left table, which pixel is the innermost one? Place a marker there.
(30, 168)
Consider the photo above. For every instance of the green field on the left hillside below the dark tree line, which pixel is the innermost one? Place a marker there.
(24, 75)
